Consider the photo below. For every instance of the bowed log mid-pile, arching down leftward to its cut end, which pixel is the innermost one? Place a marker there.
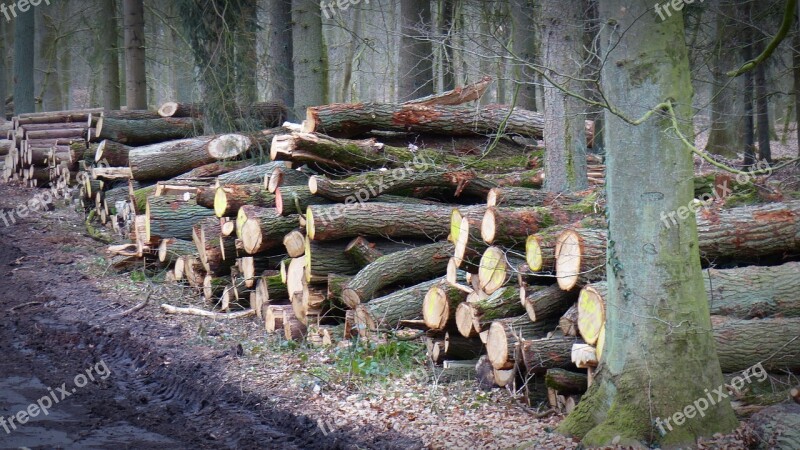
(408, 265)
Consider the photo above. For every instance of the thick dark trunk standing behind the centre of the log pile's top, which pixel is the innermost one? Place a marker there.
(416, 51)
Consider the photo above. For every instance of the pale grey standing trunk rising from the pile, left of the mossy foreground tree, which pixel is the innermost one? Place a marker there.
(564, 130)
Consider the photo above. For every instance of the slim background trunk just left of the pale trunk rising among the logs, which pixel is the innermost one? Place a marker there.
(525, 48)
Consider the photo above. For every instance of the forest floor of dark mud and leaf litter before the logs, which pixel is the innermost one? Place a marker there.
(190, 382)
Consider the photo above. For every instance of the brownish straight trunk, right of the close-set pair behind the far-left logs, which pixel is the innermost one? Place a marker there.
(135, 75)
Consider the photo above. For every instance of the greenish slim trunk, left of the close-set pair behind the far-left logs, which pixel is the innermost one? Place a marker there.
(107, 37)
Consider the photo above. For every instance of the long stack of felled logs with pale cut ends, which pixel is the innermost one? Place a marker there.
(370, 218)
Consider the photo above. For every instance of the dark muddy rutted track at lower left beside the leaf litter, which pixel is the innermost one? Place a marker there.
(158, 390)
